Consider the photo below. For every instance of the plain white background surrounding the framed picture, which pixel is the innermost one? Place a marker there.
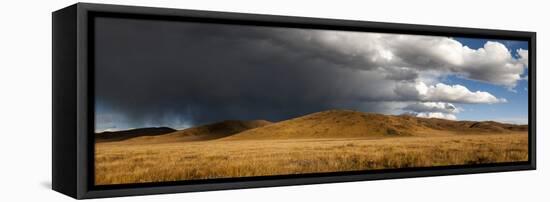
(25, 99)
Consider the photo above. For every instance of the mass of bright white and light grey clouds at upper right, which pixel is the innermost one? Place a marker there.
(410, 68)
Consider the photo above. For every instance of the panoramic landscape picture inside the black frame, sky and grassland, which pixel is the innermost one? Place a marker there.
(179, 101)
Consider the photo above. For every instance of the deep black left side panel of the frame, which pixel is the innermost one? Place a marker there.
(64, 143)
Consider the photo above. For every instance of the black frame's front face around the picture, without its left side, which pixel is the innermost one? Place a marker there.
(84, 190)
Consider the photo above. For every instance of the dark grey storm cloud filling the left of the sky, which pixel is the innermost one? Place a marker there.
(204, 73)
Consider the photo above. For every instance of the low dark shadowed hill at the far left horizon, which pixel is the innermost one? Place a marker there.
(127, 134)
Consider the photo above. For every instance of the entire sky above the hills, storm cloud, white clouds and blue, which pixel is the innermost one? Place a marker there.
(182, 74)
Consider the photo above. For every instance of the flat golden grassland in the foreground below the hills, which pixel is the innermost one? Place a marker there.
(121, 162)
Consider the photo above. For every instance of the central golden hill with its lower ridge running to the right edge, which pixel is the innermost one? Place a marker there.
(354, 124)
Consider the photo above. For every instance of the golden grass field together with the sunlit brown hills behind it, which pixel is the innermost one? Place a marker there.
(186, 155)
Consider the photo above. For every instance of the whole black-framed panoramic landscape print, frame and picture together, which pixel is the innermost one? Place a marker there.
(153, 100)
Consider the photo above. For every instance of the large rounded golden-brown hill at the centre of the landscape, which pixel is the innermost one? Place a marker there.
(332, 124)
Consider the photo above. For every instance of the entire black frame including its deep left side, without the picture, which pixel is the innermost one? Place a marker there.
(73, 123)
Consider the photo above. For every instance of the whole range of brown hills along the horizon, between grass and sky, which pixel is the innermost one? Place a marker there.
(330, 124)
